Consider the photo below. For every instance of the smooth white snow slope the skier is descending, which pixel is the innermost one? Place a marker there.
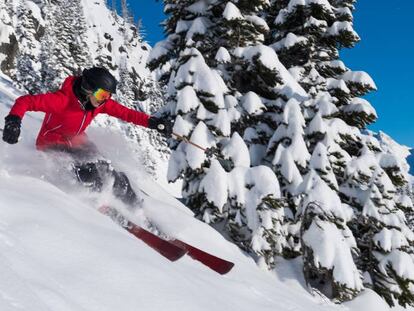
(58, 253)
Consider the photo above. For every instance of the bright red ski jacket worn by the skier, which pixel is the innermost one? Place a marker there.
(65, 121)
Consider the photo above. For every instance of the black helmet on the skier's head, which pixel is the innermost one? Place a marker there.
(96, 77)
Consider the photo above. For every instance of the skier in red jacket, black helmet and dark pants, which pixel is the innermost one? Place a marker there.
(69, 111)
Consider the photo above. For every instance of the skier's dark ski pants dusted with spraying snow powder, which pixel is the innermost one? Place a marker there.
(94, 172)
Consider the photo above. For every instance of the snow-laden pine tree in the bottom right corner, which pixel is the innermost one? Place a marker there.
(383, 236)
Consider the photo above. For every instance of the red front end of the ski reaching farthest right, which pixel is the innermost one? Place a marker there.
(215, 263)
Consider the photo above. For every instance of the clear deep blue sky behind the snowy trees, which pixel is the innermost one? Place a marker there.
(386, 52)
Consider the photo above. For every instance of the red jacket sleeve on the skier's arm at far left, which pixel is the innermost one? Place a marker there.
(50, 102)
